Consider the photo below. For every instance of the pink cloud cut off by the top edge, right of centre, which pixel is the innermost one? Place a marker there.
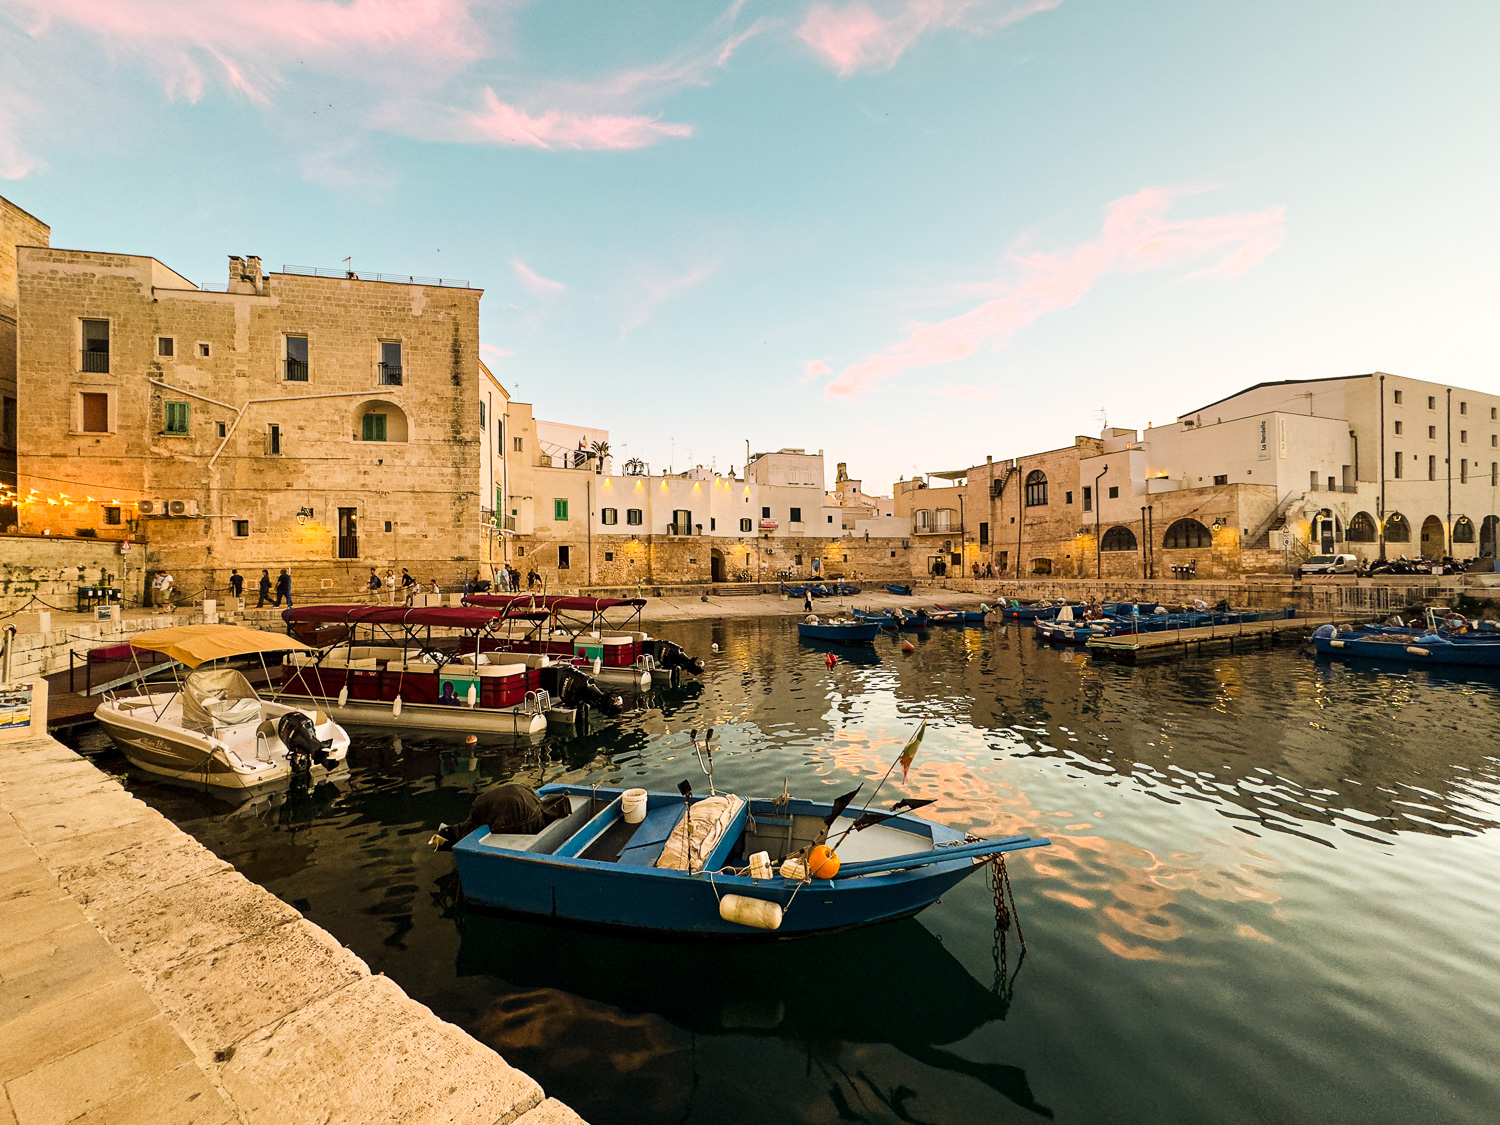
(857, 38)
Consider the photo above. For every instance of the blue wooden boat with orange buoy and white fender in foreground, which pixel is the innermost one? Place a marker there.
(593, 868)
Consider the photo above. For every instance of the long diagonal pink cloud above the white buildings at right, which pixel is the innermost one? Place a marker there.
(1138, 238)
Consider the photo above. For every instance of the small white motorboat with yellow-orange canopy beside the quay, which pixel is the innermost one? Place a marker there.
(214, 728)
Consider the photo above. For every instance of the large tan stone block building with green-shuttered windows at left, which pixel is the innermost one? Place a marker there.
(316, 421)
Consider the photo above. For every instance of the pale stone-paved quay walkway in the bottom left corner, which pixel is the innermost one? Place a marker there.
(145, 980)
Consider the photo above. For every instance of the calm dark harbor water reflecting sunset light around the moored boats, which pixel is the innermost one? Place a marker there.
(1271, 896)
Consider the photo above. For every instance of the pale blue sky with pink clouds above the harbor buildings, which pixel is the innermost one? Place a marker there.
(910, 233)
